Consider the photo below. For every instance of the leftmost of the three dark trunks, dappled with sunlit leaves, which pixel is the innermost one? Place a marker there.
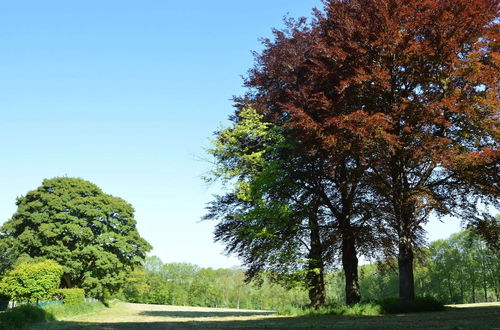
(315, 275)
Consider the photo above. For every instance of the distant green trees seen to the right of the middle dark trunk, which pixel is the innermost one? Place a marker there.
(460, 269)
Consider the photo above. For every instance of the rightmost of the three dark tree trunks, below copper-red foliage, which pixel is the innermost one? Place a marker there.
(405, 265)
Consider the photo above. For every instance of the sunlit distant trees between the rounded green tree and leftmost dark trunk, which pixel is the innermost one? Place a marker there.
(186, 284)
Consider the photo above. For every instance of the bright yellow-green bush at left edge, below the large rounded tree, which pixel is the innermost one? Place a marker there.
(31, 282)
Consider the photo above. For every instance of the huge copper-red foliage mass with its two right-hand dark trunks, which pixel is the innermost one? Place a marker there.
(401, 99)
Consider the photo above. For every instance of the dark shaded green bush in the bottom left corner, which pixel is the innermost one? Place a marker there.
(21, 316)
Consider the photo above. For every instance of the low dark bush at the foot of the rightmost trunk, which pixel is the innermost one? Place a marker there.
(394, 305)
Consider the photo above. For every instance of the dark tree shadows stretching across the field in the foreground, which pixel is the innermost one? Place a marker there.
(453, 318)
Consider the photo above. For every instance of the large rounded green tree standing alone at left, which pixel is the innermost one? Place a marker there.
(91, 234)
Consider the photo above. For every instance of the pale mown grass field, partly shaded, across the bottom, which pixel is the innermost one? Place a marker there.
(140, 316)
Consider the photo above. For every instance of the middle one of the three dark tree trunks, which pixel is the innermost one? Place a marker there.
(350, 265)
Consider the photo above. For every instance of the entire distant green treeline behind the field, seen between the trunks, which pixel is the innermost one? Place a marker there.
(461, 269)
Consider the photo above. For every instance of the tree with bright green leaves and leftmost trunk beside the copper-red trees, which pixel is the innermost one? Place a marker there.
(268, 218)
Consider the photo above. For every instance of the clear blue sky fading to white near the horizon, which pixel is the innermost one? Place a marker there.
(126, 94)
